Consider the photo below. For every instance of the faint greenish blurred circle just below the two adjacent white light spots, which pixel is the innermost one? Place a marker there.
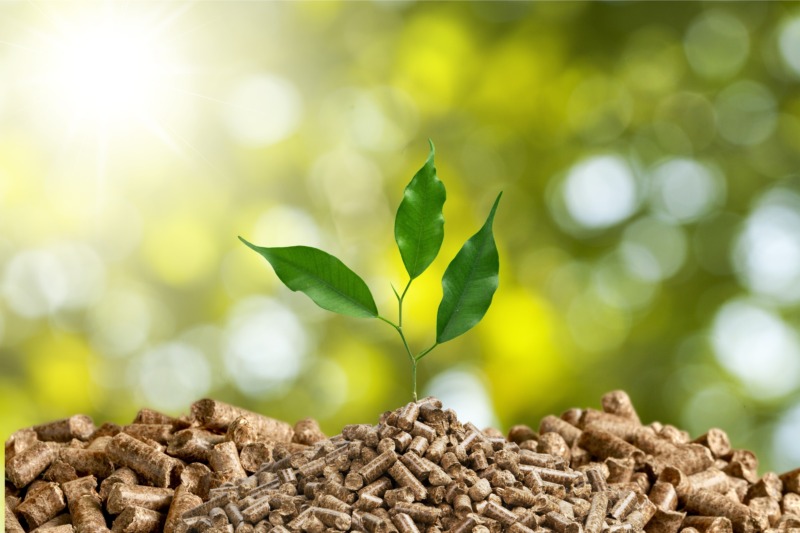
(653, 250)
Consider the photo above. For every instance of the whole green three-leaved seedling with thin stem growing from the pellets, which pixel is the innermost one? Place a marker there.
(468, 284)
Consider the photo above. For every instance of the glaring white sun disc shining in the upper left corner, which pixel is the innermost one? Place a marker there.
(109, 68)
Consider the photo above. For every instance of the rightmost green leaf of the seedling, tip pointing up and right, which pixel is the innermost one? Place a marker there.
(469, 283)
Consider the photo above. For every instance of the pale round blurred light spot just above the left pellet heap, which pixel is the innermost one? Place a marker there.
(173, 375)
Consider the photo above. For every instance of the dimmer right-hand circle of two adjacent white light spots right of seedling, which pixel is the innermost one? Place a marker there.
(684, 190)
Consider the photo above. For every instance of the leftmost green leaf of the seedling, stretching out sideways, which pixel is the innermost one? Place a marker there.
(323, 278)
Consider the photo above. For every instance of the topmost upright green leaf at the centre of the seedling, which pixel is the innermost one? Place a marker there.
(419, 225)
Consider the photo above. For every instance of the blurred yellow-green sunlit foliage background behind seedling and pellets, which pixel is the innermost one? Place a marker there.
(649, 233)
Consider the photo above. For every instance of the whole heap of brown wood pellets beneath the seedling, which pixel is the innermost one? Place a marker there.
(419, 469)
